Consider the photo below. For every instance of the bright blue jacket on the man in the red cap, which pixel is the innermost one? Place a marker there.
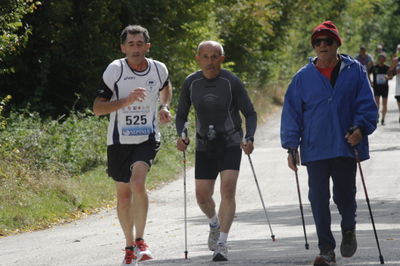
(317, 116)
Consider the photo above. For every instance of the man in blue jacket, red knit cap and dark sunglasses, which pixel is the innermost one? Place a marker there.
(325, 99)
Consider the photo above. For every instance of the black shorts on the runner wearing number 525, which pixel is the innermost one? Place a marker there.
(121, 157)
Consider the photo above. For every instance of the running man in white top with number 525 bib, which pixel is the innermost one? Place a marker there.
(135, 91)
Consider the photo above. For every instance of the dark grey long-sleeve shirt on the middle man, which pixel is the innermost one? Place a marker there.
(216, 102)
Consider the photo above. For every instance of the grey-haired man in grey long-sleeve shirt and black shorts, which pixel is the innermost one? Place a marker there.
(217, 96)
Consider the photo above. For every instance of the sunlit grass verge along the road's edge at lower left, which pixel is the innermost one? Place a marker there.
(33, 199)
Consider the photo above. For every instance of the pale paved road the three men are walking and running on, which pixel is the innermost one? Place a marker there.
(97, 240)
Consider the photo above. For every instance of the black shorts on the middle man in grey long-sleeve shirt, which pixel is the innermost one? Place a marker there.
(208, 167)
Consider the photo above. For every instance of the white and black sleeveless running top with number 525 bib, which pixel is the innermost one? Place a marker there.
(134, 123)
